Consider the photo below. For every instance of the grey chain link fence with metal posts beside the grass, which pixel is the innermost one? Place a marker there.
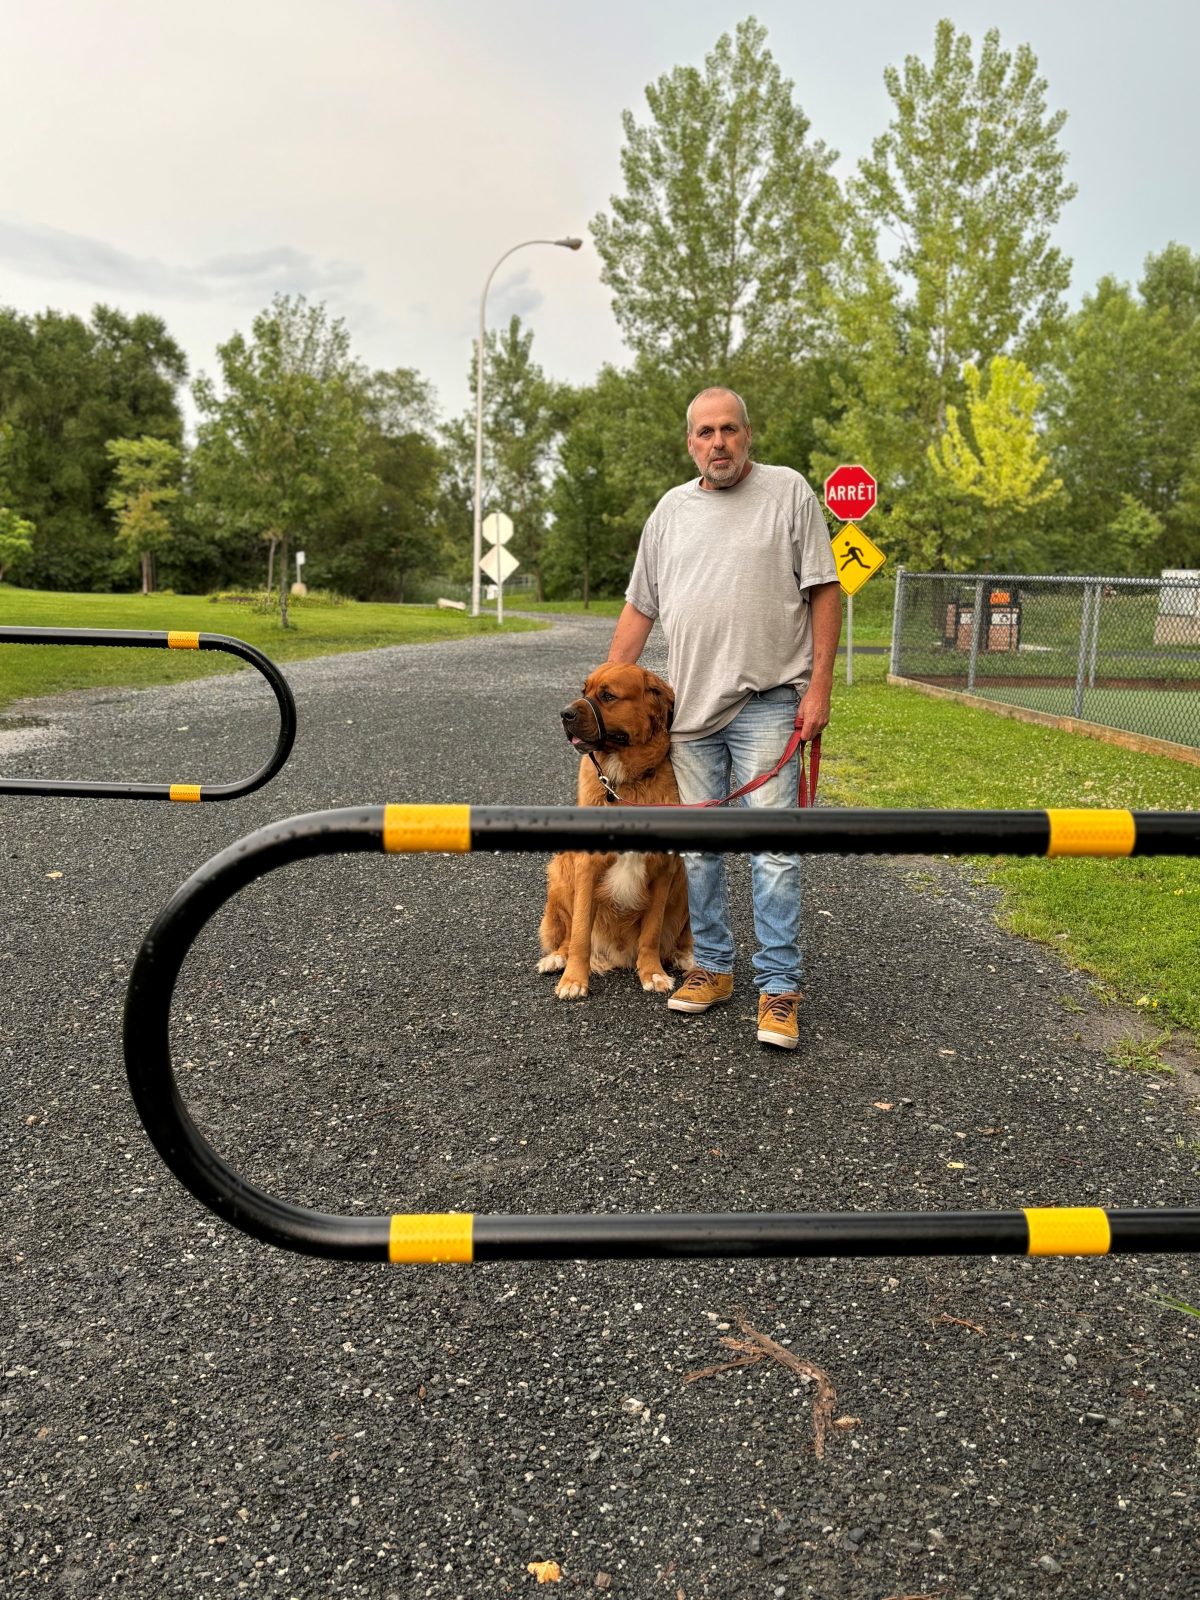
(1113, 652)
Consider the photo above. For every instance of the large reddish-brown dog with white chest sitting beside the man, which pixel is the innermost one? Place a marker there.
(630, 908)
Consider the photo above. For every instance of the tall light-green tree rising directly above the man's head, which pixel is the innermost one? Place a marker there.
(721, 242)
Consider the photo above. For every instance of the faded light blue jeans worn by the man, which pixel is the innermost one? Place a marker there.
(710, 769)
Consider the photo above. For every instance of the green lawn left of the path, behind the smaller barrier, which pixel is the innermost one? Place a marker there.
(318, 631)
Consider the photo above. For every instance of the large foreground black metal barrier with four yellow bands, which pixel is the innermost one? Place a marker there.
(1042, 1231)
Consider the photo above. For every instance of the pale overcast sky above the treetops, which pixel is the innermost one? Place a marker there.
(193, 158)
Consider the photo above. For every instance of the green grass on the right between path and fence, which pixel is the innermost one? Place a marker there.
(1134, 924)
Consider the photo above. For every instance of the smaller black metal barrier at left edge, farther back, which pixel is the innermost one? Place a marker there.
(159, 641)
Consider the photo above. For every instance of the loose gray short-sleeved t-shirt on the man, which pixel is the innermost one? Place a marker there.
(727, 574)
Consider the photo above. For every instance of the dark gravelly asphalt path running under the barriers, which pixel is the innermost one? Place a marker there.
(186, 1412)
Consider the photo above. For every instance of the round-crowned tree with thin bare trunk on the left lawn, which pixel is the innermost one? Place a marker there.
(282, 450)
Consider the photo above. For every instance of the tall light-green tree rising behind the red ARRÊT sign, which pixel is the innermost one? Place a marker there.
(969, 182)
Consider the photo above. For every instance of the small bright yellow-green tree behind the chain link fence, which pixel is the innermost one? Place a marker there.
(1007, 468)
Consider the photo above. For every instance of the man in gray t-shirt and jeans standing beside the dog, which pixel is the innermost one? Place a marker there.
(740, 572)
